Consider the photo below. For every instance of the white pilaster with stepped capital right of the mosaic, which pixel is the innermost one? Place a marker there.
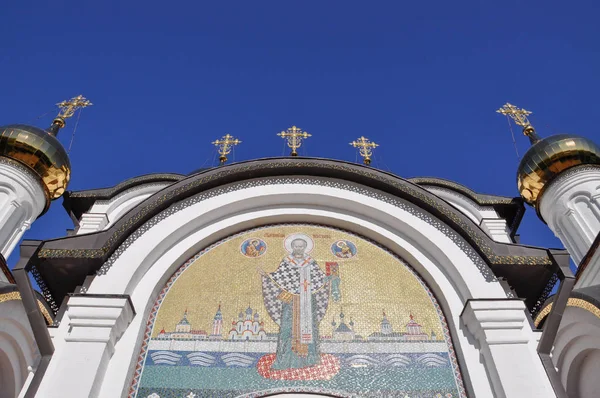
(508, 347)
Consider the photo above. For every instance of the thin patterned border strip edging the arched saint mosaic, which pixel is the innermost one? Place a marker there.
(135, 379)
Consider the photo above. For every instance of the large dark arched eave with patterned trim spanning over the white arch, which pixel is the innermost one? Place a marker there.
(60, 265)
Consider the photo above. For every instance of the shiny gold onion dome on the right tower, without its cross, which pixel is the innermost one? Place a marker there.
(548, 158)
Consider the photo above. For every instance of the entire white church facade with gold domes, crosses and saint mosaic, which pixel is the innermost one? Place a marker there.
(299, 277)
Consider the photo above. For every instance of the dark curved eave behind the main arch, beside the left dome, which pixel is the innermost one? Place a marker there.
(78, 202)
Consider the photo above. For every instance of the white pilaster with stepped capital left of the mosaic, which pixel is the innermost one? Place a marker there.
(96, 323)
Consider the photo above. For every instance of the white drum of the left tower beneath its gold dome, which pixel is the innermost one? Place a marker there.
(22, 200)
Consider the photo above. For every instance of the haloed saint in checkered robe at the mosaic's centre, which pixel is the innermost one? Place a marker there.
(296, 296)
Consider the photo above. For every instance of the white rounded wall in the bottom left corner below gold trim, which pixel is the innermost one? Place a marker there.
(18, 350)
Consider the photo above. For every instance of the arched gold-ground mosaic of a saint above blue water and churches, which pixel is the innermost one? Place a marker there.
(288, 308)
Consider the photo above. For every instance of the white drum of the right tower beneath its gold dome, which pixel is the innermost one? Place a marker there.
(570, 206)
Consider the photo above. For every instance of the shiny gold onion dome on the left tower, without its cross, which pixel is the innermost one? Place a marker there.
(41, 152)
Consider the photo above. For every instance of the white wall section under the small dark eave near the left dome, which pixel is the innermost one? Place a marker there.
(105, 213)
